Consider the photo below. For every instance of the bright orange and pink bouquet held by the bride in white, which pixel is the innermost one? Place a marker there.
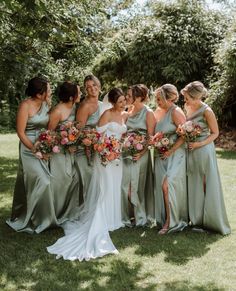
(108, 148)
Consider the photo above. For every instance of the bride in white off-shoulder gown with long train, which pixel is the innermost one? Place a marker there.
(88, 237)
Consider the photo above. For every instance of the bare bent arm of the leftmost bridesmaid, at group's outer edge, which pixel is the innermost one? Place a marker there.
(21, 121)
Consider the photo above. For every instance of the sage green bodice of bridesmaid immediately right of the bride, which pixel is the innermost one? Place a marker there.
(138, 121)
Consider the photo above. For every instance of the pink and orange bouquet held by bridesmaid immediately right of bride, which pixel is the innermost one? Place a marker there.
(133, 143)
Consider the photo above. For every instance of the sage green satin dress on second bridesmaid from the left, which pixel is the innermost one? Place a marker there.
(64, 181)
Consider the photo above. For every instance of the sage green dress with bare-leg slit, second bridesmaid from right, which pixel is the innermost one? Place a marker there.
(174, 169)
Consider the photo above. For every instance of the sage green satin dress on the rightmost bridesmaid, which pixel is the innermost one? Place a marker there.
(206, 208)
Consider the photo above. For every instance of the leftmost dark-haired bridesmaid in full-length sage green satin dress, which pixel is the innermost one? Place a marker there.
(36, 213)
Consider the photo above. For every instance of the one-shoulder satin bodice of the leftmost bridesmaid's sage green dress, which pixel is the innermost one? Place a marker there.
(39, 120)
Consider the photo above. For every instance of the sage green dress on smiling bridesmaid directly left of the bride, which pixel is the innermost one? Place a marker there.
(83, 166)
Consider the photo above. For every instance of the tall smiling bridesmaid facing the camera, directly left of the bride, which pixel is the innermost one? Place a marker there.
(88, 115)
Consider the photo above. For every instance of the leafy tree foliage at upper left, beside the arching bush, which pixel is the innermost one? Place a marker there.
(58, 39)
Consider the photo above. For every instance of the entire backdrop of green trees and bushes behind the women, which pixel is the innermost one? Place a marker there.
(174, 41)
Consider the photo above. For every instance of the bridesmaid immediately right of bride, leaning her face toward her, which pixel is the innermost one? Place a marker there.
(137, 190)
